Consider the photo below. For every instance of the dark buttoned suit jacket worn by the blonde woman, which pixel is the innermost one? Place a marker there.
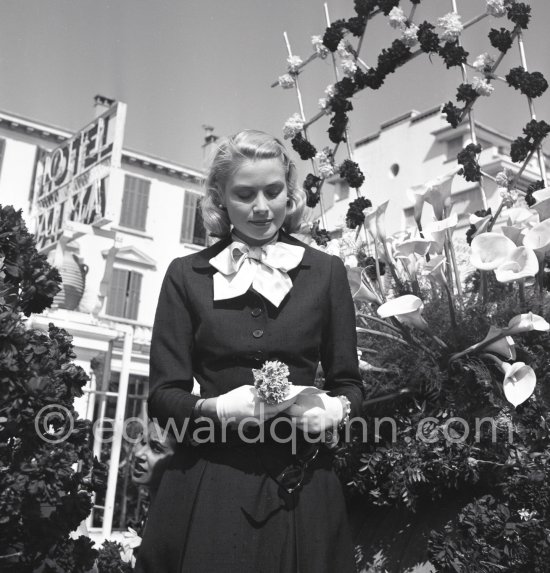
(219, 343)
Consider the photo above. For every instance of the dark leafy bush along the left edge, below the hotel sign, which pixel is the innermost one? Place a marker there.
(42, 496)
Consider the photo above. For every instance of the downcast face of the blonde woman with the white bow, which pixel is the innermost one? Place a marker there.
(256, 198)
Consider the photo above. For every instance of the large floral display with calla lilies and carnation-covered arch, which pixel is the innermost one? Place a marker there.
(453, 330)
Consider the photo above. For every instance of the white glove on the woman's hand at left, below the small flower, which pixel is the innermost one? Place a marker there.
(243, 402)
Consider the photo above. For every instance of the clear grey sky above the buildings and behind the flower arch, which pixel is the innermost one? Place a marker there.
(180, 64)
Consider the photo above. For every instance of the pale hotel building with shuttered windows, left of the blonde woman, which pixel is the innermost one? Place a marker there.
(111, 227)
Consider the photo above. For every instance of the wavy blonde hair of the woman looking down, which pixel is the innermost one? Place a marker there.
(232, 152)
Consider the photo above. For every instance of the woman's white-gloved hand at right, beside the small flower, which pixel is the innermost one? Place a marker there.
(314, 411)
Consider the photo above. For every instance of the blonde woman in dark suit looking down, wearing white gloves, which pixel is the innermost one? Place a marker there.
(234, 504)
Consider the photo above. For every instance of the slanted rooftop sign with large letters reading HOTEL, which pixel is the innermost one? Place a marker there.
(72, 180)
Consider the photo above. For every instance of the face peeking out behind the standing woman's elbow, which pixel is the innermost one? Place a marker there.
(151, 456)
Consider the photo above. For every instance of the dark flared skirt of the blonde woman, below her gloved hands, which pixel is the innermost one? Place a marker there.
(218, 509)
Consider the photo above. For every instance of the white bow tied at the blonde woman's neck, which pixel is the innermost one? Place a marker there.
(264, 268)
